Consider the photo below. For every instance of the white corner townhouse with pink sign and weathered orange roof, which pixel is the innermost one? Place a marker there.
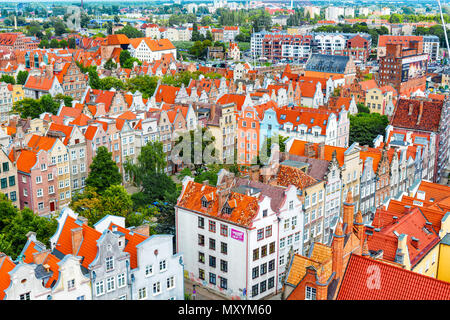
(242, 218)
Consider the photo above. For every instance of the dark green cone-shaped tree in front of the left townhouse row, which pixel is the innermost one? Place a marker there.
(104, 171)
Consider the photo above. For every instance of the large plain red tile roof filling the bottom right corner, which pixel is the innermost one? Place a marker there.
(393, 283)
